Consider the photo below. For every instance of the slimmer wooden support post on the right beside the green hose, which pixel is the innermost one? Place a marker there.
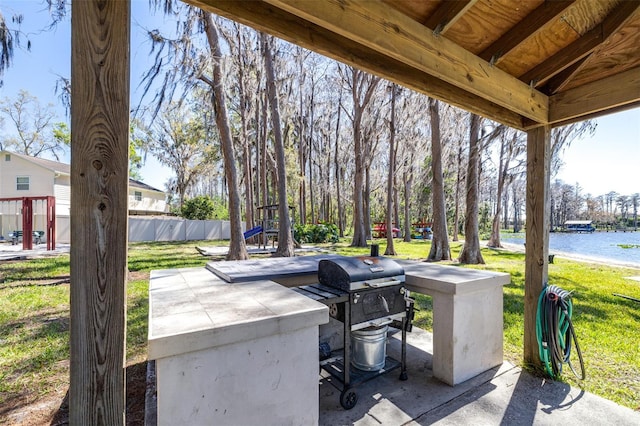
(537, 234)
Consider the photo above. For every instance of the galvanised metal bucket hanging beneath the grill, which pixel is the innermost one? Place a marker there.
(368, 348)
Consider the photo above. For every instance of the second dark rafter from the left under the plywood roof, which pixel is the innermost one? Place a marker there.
(528, 27)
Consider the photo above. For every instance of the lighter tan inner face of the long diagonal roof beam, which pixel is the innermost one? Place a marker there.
(393, 34)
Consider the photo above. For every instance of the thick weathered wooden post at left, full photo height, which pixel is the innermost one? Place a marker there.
(100, 34)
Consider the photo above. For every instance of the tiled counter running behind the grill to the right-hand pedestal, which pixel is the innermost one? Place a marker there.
(467, 307)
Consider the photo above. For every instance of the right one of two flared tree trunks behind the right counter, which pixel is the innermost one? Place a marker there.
(471, 253)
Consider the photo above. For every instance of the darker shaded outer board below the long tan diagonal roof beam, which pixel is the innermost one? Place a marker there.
(282, 24)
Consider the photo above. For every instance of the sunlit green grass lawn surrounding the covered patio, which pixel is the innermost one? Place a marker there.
(34, 316)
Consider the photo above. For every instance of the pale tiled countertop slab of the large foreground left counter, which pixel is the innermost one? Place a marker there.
(192, 309)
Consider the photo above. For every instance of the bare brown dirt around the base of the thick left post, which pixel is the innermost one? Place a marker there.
(53, 409)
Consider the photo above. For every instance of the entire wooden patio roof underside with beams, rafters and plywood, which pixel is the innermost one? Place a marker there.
(521, 63)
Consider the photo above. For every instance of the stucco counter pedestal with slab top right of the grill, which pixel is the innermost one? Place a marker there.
(467, 317)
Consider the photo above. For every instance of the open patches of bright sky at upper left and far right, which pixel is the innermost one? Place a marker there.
(608, 161)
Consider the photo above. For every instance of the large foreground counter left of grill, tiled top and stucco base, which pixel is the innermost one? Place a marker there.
(225, 353)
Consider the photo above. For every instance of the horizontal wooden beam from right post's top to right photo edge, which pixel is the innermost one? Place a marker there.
(596, 97)
